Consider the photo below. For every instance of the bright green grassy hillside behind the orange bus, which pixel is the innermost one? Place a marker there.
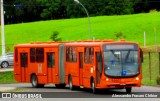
(102, 27)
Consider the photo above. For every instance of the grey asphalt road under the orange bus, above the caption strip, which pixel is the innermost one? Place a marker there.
(51, 88)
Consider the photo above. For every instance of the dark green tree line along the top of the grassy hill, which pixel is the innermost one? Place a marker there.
(18, 11)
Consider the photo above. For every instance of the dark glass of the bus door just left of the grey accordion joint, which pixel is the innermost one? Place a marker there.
(50, 59)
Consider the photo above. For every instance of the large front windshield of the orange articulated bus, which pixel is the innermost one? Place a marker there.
(121, 63)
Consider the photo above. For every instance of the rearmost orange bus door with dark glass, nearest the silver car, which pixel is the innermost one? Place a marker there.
(24, 65)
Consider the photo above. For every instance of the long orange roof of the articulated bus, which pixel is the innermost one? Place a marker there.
(78, 43)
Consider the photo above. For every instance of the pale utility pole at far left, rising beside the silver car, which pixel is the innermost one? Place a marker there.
(2, 29)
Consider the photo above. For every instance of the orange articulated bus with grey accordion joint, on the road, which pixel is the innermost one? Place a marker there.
(86, 64)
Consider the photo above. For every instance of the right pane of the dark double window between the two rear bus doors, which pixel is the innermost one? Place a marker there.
(40, 54)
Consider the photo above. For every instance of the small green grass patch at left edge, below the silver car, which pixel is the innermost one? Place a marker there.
(7, 77)
